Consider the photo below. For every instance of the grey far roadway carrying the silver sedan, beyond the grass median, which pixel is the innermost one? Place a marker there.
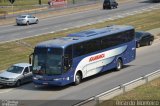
(52, 24)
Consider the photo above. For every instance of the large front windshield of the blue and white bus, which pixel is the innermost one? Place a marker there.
(47, 61)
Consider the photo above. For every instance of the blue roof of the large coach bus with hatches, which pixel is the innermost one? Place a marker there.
(83, 36)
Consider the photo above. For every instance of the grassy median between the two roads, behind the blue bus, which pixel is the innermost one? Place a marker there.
(14, 52)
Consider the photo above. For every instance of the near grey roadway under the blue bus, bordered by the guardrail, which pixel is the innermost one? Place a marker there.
(147, 61)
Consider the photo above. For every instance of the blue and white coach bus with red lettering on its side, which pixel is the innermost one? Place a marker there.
(70, 59)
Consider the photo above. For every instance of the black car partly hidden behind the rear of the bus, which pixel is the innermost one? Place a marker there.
(143, 38)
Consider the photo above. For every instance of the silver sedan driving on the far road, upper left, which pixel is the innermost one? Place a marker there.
(26, 20)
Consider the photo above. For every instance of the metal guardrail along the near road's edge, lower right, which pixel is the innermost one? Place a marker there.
(96, 100)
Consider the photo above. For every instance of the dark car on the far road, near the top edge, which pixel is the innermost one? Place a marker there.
(108, 4)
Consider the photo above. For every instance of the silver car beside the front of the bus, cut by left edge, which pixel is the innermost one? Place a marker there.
(16, 75)
